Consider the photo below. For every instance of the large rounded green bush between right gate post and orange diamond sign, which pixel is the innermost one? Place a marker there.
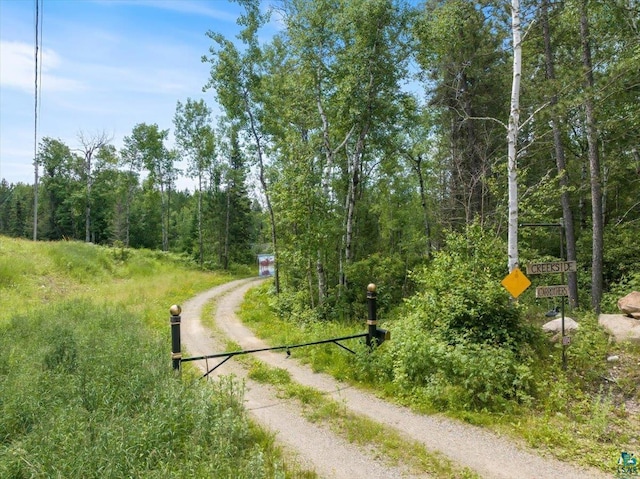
(460, 343)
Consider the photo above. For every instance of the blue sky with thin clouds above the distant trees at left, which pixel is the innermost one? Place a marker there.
(106, 66)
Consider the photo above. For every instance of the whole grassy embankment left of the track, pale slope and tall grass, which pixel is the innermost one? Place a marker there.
(86, 386)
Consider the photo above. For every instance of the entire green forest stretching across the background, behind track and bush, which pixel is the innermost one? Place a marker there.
(354, 142)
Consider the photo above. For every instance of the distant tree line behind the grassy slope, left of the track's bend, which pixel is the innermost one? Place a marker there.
(129, 197)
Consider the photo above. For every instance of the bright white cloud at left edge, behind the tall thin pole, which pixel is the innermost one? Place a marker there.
(17, 68)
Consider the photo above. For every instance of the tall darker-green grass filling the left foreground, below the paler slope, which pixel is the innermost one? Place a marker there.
(87, 392)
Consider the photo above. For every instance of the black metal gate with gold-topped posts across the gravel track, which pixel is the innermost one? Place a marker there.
(374, 336)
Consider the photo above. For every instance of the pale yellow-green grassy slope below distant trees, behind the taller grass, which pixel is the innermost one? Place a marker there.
(38, 274)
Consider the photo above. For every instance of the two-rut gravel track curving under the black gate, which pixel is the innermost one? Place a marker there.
(317, 448)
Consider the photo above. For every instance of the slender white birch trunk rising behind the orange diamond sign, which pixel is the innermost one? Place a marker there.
(512, 137)
